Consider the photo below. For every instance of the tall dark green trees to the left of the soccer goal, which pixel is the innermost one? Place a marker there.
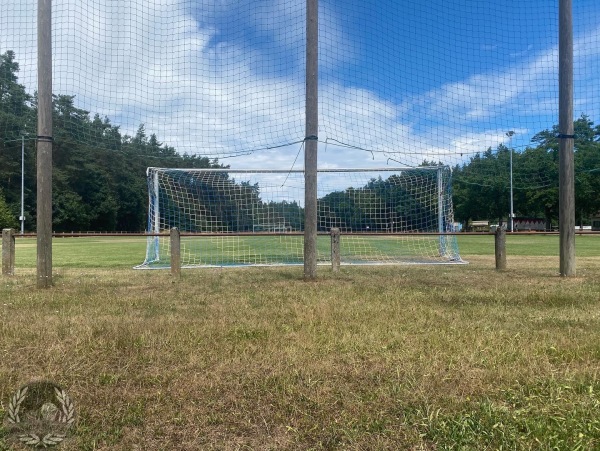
(98, 174)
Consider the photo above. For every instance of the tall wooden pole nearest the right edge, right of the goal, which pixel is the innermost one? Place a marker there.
(566, 205)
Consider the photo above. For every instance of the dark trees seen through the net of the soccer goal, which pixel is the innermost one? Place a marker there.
(214, 202)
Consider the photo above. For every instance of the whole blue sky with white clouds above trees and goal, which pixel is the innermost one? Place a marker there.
(399, 81)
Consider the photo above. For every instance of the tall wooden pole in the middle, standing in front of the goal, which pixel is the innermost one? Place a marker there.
(311, 140)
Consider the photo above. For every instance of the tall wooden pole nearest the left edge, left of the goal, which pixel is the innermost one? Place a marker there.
(44, 146)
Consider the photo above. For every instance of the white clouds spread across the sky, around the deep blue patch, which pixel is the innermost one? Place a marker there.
(164, 64)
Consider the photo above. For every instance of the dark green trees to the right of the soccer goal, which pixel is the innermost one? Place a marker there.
(481, 186)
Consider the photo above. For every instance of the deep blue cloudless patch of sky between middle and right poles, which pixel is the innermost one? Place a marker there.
(435, 42)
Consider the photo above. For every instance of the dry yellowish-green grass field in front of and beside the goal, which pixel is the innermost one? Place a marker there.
(371, 358)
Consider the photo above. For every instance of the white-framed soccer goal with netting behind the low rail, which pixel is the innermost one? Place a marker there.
(256, 217)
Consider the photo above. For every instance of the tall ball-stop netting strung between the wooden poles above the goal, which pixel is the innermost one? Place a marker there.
(405, 83)
